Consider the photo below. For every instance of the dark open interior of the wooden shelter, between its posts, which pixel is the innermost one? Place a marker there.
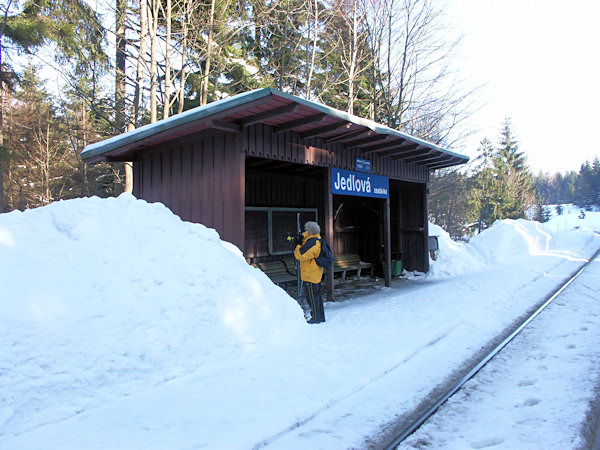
(277, 191)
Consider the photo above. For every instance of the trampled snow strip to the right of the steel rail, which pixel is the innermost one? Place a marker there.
(535, 393)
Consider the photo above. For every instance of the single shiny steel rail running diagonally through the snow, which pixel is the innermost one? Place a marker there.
(399, 437)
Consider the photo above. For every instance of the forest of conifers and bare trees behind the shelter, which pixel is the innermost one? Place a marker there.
(73, 72)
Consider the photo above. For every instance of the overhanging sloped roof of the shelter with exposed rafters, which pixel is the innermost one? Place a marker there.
(283, 112)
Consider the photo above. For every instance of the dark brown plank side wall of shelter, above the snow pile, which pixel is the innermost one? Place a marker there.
(199, 179)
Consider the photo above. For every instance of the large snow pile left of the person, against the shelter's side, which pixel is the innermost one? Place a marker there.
(168, 295)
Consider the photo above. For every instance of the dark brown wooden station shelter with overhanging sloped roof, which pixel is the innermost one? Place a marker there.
(249, 164)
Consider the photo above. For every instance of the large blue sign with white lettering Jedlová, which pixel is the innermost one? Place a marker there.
(347, 182)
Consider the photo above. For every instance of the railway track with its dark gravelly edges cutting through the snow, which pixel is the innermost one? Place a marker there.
(425, 411)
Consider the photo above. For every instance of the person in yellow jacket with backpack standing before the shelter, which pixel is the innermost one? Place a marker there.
(311, 273)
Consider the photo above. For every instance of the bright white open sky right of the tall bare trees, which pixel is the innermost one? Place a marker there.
(537, 62)
